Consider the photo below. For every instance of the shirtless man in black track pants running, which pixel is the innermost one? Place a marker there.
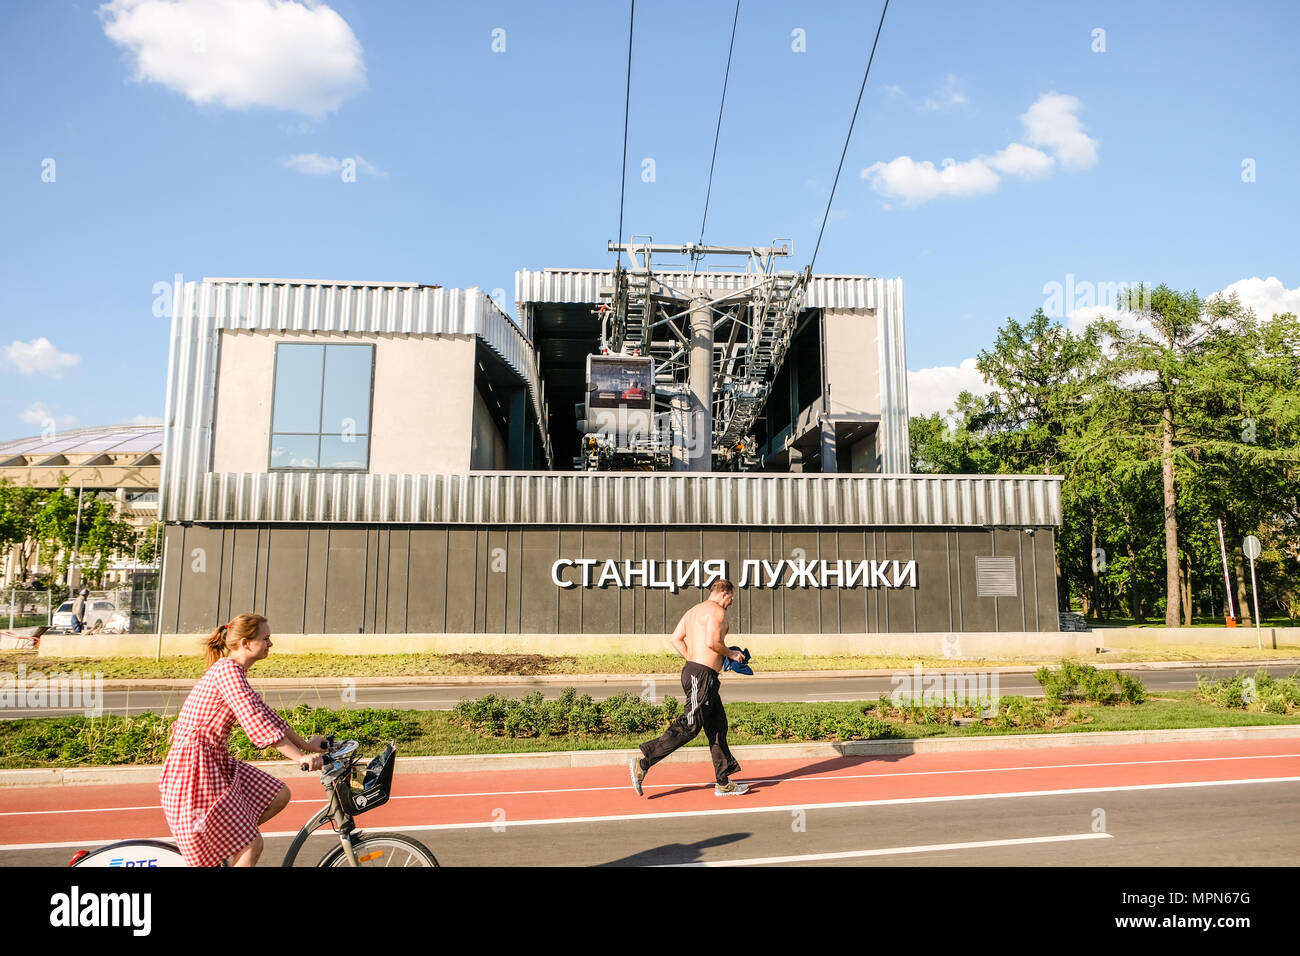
(701, 639)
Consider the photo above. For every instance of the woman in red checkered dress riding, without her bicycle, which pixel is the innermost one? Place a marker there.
(213, 802)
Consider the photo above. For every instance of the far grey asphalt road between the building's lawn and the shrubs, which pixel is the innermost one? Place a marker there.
(337, 693)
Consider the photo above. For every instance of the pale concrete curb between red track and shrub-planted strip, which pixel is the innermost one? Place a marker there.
(85, 777)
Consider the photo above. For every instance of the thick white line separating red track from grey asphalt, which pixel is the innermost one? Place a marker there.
(678, 815)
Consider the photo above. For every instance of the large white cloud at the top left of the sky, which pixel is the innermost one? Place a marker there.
(241, 54)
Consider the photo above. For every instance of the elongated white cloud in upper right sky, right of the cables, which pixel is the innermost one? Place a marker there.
(1050, 123)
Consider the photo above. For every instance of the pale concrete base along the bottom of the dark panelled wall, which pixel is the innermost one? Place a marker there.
(957, 647)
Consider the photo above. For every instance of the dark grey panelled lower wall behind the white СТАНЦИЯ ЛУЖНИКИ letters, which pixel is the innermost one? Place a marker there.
(432, 581)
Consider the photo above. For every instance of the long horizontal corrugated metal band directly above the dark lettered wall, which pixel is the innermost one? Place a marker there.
(622, 500)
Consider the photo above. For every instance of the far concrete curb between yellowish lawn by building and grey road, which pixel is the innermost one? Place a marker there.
(461, 680)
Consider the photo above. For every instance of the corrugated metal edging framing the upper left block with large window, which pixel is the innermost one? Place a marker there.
(205, 309)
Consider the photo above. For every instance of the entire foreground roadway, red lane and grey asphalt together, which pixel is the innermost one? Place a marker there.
(1204, 804)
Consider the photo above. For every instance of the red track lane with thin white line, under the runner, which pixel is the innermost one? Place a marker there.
(99, 815)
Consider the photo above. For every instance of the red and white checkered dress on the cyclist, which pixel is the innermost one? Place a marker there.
(214, 802)
